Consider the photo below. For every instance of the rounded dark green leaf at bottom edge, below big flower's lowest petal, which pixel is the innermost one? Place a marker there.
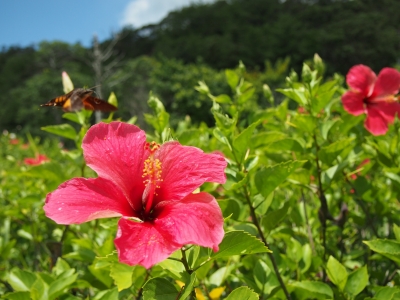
(159, 289)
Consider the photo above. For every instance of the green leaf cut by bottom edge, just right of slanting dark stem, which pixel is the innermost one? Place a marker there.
(311, 290)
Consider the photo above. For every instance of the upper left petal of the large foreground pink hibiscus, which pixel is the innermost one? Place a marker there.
(115, 151)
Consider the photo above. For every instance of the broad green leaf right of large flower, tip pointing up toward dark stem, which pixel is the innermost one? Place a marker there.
(268, 179)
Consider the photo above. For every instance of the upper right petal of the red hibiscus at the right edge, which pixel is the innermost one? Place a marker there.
(388, 83)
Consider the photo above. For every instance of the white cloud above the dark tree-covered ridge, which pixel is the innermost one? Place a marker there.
(143, 12)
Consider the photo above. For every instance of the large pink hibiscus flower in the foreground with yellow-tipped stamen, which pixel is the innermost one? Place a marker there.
(150, 187)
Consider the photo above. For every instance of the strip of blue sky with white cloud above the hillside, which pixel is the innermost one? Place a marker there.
(28, 22)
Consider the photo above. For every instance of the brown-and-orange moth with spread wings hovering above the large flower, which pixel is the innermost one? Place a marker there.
(79, 99)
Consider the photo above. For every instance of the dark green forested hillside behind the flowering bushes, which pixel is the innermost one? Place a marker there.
(196, 42)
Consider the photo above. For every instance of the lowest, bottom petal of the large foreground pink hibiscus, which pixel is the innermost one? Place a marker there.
(142, 243)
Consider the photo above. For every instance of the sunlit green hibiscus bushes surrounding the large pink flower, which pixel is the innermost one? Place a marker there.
(310, 202)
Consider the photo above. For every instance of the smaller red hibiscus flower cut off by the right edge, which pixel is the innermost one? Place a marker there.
(374, 96)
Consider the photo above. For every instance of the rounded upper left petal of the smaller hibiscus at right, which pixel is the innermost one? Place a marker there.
(361, 79)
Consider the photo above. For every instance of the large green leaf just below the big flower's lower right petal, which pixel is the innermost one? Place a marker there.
(238, 243)
